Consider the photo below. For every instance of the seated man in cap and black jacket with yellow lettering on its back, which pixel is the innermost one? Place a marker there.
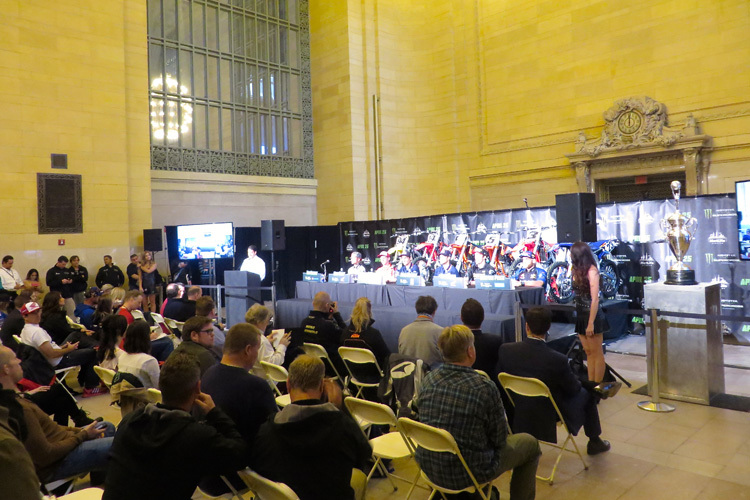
(324, 326)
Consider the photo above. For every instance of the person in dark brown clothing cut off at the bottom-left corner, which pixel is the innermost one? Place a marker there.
(17, 474)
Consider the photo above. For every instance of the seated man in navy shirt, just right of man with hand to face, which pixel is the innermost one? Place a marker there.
(248, 400)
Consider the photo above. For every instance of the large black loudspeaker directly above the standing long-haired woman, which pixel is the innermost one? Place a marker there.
(576, 217)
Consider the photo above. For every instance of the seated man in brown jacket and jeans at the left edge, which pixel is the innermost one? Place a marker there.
(58, 452)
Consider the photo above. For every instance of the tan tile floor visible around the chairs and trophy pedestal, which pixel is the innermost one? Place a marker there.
(696, 452)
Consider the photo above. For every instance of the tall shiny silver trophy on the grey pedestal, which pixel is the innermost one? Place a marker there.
(679, 231)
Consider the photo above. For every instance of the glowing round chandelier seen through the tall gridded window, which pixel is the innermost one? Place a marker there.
(165, 119)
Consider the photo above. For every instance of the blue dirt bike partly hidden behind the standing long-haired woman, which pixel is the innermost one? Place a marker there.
(560, 277)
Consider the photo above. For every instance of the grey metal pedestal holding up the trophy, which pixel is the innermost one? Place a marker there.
(691, 361)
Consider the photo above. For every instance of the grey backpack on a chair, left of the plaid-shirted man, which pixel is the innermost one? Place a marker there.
(400, 385)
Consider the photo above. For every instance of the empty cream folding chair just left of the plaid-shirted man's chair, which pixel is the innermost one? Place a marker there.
(387, 446)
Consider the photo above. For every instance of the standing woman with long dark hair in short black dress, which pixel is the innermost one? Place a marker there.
(590, 321)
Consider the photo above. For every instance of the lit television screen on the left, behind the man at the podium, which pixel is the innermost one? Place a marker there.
(205, 241)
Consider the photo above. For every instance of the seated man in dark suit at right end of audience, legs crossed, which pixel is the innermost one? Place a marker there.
(533, 358)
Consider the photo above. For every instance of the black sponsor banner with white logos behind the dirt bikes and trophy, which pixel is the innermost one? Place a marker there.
(642, 256)
